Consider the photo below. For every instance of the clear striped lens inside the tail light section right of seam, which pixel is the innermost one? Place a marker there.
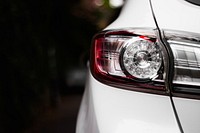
(187, 62)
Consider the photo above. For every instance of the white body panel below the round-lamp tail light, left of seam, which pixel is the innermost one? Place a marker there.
(122, 111)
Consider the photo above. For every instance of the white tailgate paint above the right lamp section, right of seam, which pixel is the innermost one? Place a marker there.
(177, 15)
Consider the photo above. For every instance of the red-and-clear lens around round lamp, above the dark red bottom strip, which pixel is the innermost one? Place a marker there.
(134, 55)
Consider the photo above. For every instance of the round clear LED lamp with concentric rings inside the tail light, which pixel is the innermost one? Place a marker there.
(142, 58)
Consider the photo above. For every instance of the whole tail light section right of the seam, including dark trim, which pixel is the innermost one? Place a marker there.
(186, 52)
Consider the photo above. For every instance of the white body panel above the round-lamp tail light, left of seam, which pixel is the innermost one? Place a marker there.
(135, 13)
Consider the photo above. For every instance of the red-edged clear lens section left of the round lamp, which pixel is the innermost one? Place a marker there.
(107, 55)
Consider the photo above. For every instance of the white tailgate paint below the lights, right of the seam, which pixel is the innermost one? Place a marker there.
(189, 114)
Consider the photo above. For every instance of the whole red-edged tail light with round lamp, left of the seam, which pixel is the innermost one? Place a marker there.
(131, 59)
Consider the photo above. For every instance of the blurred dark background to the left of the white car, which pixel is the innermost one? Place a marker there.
(45, 46)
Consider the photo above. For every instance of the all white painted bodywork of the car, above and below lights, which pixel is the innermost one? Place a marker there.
(107, 109)
